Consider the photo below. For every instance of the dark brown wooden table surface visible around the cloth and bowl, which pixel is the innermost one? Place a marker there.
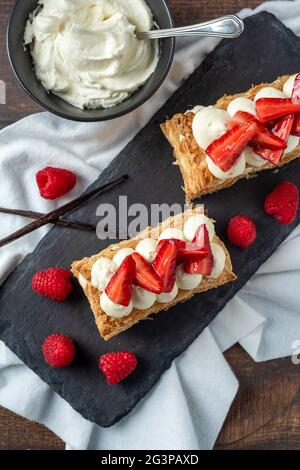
(266, 411)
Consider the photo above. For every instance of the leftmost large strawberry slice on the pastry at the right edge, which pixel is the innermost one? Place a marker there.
(226, 150)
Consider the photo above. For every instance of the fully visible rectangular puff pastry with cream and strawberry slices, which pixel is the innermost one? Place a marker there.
(134, 279)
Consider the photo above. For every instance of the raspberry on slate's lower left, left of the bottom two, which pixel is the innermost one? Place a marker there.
(58, 350)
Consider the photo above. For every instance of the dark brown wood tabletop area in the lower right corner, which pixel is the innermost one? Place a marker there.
(266, 411)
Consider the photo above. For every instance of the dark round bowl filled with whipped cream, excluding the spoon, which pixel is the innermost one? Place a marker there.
(89, 64)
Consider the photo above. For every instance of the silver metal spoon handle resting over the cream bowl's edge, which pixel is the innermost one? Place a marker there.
(230, 26)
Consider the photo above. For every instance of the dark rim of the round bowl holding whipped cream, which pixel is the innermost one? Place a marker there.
(69, 117)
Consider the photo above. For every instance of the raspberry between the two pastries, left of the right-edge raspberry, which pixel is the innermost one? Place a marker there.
(241, 231)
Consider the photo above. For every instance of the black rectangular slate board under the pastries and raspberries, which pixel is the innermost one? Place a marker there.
(266, 49)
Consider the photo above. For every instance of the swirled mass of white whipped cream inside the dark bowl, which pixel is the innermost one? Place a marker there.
(86, 51)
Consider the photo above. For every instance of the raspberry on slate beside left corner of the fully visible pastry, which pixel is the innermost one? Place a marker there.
(53, 283)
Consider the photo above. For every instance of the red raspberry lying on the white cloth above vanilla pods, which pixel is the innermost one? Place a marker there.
(55, 182)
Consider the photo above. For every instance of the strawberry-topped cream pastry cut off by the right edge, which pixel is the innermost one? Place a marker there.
(243, 134)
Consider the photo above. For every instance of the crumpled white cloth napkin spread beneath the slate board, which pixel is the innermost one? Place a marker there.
(187, 408)
